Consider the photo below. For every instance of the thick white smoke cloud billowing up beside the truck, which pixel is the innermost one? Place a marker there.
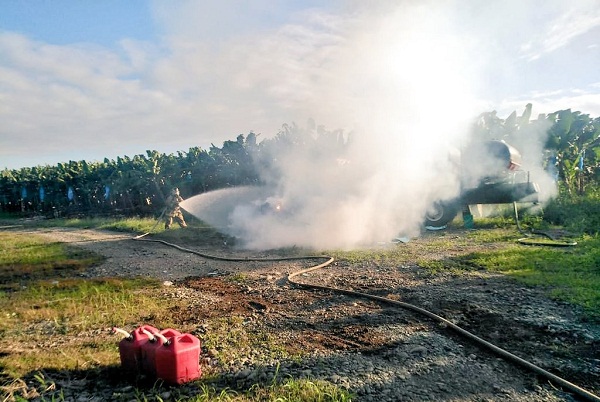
(395, 85)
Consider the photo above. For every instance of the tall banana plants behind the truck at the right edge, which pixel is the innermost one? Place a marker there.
(571, 154)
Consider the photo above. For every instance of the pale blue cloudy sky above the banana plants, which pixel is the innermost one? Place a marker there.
(94, 79)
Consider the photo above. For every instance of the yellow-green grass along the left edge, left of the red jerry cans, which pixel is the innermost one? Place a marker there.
(42, 295)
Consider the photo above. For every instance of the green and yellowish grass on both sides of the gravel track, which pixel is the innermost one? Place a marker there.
(42, 297)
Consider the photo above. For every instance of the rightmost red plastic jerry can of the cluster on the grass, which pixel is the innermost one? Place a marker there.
(178, 360)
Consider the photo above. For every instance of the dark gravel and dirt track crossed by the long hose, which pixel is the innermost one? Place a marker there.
(378, 351)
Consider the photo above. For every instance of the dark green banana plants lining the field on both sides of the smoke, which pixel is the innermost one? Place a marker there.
(139, 185)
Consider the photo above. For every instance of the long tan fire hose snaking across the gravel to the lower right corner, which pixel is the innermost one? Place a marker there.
(329, 260)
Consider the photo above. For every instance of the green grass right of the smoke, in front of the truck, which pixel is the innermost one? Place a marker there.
(570, 274)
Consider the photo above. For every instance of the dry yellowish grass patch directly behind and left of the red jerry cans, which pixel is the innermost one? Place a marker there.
(78, 312)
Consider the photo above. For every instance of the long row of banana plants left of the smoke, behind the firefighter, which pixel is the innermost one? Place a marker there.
(127, 186)
